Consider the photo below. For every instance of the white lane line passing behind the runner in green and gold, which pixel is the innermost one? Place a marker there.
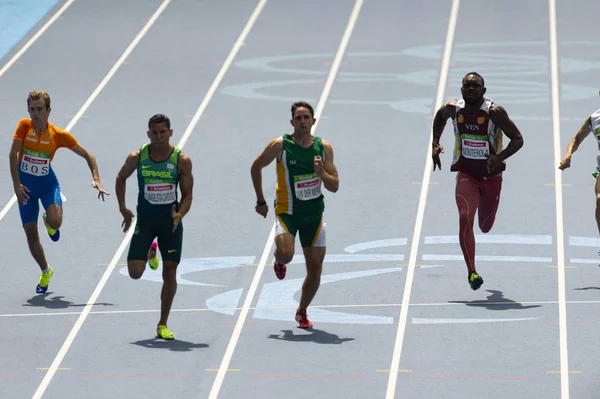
(214, 392)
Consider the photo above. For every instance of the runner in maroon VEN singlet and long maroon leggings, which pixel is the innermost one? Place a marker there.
(479, 125)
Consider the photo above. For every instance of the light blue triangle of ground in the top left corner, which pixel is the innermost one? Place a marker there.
(17, 18)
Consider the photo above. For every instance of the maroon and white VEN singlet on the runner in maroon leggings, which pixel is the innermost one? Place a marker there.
(475, 137)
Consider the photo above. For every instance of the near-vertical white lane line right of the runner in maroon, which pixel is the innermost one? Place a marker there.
(560, 240)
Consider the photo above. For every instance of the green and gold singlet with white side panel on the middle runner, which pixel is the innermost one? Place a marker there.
(298, 189)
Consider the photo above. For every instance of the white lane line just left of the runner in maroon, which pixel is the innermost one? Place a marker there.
(393, 377)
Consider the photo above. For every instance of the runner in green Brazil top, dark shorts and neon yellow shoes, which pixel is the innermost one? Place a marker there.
(161, 169)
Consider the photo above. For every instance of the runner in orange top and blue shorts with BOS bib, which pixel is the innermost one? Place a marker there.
(35, 142)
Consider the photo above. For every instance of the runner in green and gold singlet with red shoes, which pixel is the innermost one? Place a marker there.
(304, 165)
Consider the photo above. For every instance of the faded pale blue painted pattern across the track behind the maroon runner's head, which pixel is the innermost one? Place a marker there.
(510, 64)
